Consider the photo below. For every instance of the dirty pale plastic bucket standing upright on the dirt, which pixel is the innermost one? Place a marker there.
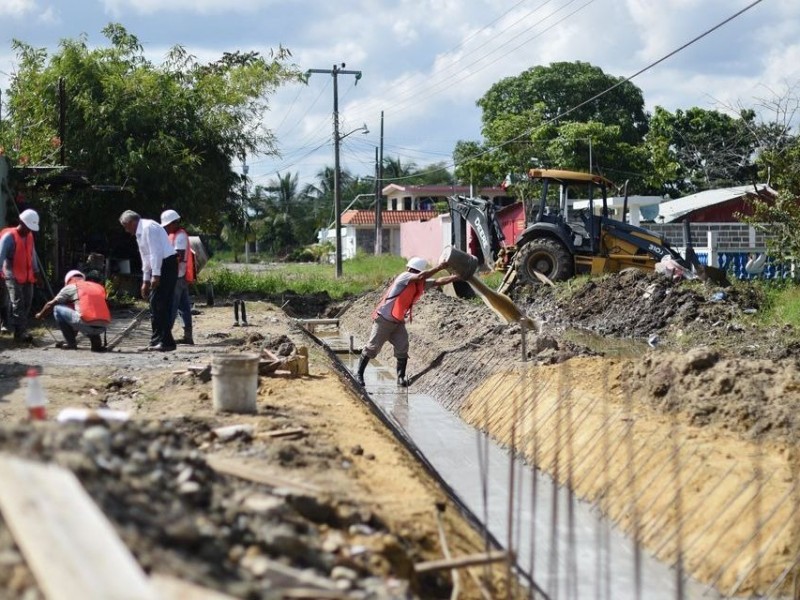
(234, 380)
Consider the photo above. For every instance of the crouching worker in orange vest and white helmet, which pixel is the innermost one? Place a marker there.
(79, 307)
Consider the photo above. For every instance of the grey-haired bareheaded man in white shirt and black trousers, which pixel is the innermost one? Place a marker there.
(159, 275)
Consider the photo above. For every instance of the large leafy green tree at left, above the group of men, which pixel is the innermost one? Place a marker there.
(169, 133)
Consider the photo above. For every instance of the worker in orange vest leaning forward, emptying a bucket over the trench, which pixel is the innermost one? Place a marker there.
(389, 317)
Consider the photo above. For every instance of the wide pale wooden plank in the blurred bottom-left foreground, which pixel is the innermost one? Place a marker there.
(69, 545)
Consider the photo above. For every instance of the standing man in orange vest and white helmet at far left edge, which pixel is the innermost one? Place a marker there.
(20, 270)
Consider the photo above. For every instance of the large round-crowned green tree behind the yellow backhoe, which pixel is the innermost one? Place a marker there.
(549, 116)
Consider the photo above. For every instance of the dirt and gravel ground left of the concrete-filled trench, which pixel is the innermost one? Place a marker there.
(327, 498)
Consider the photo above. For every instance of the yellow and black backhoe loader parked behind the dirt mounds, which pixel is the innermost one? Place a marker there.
(560, 242)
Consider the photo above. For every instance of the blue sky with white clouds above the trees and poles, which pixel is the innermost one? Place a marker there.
(426, 62)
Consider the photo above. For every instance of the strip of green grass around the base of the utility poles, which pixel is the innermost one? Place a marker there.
(360, 274)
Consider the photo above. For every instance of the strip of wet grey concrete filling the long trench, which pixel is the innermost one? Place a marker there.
(568, 548)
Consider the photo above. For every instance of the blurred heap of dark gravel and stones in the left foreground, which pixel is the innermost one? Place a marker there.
(178, 515)
